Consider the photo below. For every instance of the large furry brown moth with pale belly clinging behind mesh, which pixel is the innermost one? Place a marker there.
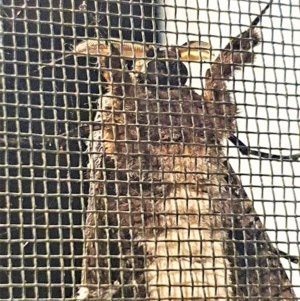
(167, 218)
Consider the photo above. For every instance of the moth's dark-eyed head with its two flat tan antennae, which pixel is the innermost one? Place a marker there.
(154, 66)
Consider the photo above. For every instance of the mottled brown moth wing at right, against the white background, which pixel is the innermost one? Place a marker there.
(258, 273)
